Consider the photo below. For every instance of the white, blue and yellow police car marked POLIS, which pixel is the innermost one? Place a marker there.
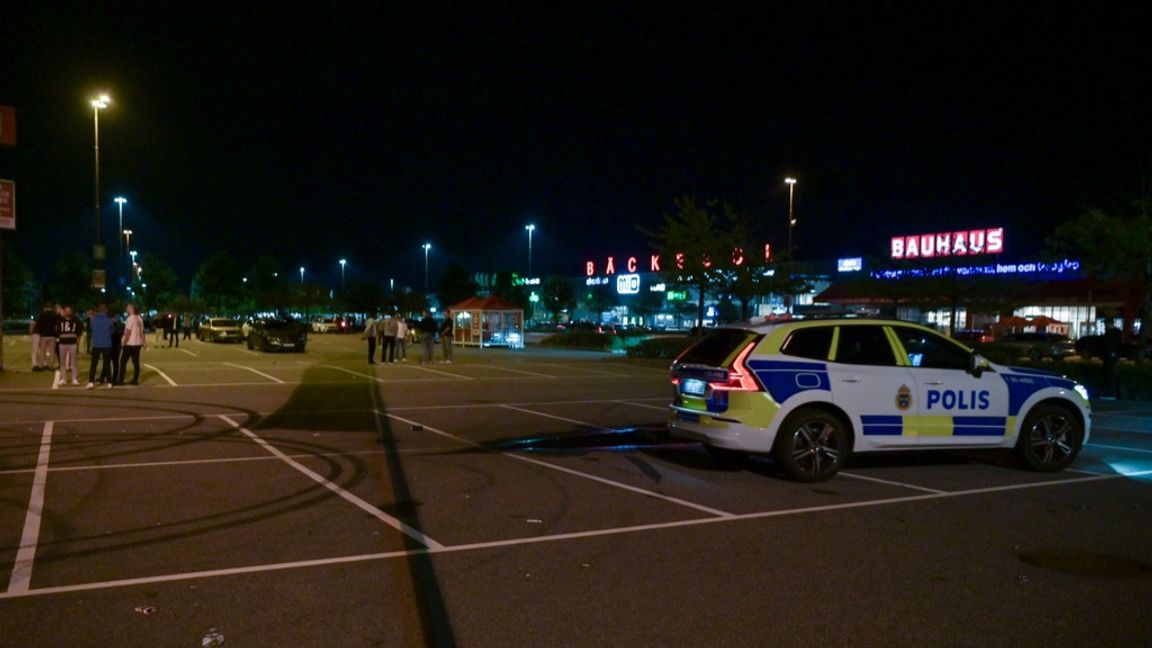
(813, 393)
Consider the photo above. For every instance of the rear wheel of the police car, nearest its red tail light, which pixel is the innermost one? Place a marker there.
(813, 446)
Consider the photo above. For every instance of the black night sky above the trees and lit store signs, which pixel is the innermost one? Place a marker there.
(365, 130)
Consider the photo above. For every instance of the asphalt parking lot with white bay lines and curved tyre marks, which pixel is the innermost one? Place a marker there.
(524, 499)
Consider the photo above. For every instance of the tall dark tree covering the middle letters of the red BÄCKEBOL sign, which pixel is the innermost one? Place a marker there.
(695, 248)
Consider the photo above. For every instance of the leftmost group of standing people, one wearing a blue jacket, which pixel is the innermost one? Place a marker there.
(57, 334)
